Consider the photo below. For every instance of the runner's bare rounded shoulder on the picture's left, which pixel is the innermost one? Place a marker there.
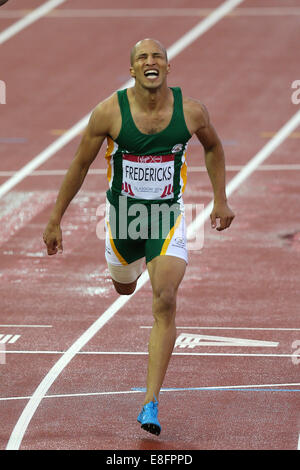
(106, 116)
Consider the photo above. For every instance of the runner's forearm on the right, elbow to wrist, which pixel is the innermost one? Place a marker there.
(215, 164)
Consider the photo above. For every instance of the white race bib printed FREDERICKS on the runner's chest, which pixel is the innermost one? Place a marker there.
(148, 177)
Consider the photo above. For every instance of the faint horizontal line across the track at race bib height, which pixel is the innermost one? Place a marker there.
(193, 169)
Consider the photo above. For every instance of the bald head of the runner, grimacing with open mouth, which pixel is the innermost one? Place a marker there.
(149, 64)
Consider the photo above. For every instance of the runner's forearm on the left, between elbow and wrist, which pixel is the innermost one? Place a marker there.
(69, 188)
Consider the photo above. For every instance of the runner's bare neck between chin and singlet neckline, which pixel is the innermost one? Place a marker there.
(150, 99)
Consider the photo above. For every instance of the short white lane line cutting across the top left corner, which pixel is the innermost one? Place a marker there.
(29, 19)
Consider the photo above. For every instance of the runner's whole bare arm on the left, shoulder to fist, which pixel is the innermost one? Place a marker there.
(92, 139)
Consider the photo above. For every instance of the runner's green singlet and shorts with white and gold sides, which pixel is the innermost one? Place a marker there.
(147, 170)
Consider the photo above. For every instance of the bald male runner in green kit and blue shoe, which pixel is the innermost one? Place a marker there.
(147, 128)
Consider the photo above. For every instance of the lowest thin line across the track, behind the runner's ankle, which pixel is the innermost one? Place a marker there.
(92, 394)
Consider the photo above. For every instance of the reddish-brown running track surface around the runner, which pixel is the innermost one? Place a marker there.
(243, 284)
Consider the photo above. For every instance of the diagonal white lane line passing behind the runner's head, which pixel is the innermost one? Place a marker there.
(173, 51)
